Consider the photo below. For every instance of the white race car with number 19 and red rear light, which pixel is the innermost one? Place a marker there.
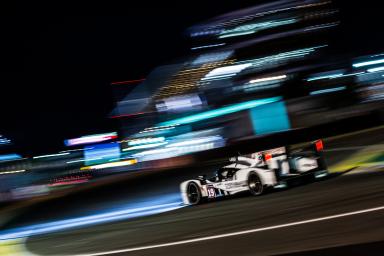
(254, 173)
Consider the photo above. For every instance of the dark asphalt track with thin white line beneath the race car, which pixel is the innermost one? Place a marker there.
(360, 233)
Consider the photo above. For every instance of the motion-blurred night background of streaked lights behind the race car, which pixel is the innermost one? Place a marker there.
(103, 115)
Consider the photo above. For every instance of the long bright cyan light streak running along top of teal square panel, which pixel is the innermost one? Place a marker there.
(221, 111)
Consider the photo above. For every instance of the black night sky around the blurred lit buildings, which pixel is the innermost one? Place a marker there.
(56, 69)
